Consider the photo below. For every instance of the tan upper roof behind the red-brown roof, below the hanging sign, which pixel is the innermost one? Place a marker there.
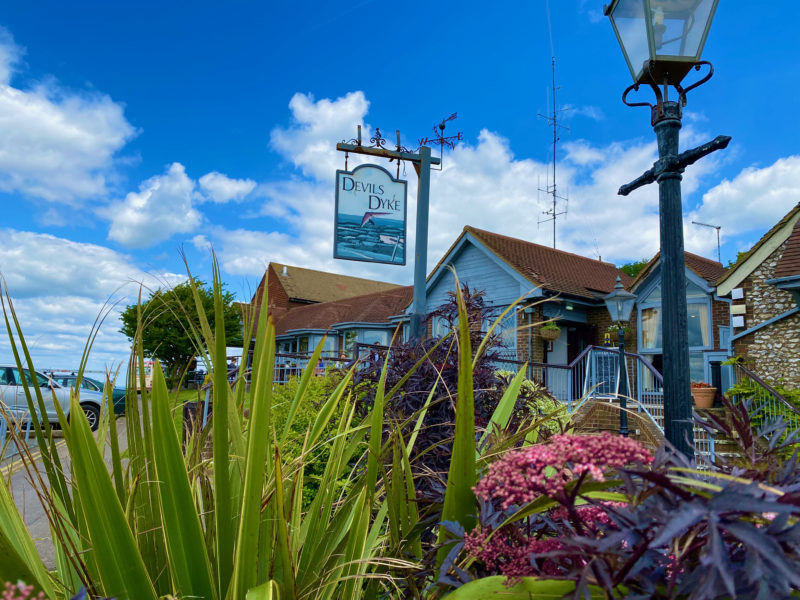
(321, 286)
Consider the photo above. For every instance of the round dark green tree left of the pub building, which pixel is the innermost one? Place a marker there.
(169, 316)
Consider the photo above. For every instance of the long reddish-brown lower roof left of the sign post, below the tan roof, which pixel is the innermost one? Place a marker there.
(368, 308)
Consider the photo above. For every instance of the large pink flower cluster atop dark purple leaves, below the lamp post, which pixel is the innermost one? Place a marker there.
(521, 476)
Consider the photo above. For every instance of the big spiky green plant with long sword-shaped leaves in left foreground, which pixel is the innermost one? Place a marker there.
(165, 517)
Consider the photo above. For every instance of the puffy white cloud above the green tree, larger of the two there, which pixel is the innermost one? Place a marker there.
(162, 207)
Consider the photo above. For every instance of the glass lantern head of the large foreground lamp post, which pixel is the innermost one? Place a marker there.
(663, 31)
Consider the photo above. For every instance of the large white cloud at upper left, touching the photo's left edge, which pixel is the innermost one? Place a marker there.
(56, 145)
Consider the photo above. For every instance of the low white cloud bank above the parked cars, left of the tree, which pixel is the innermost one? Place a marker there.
(59, 287)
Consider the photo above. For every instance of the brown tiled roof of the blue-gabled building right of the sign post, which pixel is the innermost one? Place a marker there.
(554, 270)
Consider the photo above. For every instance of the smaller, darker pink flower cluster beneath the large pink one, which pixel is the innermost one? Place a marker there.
(509, 552)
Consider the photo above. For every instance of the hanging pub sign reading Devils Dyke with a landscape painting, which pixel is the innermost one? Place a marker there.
(370, 216)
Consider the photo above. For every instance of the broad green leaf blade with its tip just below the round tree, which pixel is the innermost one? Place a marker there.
(183, 536)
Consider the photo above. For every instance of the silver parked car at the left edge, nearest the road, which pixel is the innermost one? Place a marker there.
(12, 396)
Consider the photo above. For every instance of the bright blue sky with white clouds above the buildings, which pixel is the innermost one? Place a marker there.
(129, 131)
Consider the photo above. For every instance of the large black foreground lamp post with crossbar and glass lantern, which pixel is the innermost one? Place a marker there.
(662, 41)
